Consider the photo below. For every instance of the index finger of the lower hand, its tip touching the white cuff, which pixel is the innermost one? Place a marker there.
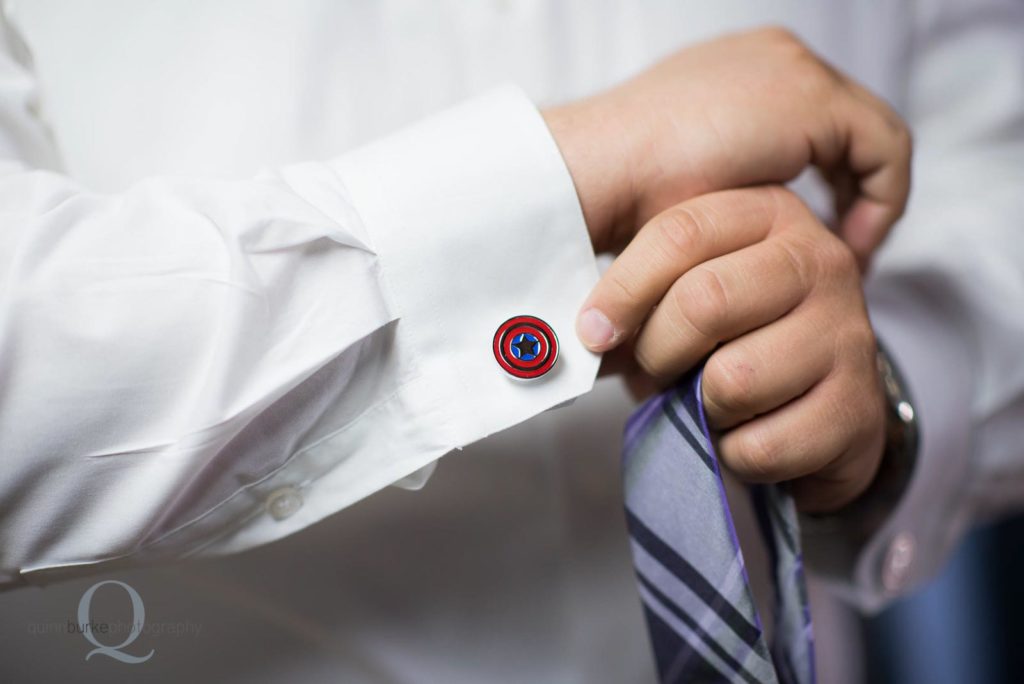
(670, 245)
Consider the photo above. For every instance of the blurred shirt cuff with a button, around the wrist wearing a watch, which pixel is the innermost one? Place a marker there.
(918, 327)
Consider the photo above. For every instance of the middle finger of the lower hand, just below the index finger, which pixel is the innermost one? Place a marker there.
(718, 302)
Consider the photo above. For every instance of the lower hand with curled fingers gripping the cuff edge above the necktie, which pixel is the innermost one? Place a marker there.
(752, 278)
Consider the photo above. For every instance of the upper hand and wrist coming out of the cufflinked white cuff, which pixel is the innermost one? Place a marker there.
(745, 110)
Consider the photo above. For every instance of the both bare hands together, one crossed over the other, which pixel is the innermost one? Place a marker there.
(679, 170)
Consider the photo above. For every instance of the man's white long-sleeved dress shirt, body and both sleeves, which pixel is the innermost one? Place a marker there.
(237, 303)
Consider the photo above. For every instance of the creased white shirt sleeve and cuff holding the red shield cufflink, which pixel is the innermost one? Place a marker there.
(197, 367)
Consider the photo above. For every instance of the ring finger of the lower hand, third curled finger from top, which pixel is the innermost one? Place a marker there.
(766, 369)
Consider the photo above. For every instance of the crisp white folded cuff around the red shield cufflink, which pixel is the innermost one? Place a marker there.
(476, 220)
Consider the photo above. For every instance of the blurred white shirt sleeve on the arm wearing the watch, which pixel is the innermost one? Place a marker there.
(948, 296)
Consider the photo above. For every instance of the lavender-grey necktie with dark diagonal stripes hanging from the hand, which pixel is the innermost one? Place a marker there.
(697, 598)
